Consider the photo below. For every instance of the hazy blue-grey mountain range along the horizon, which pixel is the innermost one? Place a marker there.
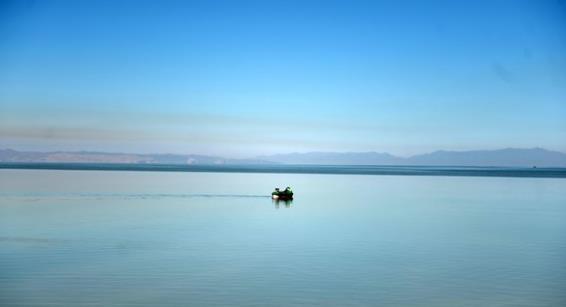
(503, 157)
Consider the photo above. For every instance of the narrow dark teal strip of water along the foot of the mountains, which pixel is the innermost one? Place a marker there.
(545, 172)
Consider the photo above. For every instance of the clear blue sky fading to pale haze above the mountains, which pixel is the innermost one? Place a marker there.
(244, 78)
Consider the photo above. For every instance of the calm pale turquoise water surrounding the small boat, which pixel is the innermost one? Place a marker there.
(104, 238)
